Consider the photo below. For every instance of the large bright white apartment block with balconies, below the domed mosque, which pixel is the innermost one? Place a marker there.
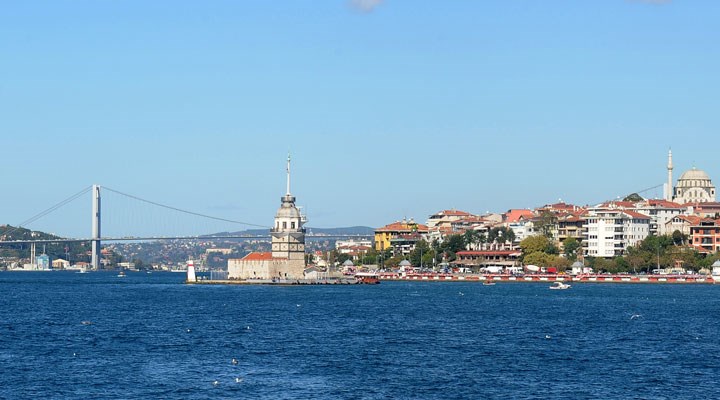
(609, 232)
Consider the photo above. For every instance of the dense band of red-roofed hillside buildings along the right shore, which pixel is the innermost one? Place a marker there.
(605, 230)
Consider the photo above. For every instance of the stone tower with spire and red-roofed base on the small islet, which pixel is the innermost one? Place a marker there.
(286, 261)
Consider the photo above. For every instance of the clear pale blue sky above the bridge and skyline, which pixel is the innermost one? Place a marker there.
(390, 108)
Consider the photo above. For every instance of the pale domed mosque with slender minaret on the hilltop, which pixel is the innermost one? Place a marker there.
(693, 186)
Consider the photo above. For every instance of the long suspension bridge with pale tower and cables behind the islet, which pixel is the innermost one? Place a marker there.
(147, 217)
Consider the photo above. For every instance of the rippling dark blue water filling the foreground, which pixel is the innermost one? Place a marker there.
(67, 335)
